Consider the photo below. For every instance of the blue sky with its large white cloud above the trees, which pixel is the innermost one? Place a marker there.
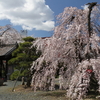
(36, 16)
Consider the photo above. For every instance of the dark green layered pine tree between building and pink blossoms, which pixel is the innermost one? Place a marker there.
(23, 57)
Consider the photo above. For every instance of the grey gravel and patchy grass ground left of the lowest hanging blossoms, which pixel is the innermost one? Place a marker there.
(7, 94)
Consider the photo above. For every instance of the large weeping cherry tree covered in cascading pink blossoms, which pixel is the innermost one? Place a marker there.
(73, 48)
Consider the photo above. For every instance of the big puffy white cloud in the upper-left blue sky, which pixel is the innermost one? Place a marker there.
(30, 14)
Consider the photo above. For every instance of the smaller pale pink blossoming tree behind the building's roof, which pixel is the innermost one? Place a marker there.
(8, 35)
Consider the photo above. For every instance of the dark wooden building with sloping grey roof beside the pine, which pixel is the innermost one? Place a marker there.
(6, 54)
